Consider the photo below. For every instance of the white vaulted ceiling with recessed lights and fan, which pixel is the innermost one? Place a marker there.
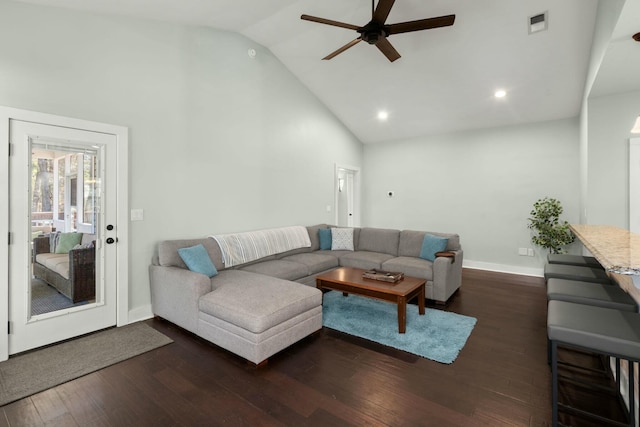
(446, 78)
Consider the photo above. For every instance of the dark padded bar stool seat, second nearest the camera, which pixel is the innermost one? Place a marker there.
(589, 293)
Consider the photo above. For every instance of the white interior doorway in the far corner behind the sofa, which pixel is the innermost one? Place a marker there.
(347, 196)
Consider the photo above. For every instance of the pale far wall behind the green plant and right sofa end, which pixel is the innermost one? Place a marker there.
(480, 184)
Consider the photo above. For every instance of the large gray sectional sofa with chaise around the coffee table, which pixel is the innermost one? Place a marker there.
(260, 307)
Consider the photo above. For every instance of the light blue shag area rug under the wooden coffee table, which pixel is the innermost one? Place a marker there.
(437, 335)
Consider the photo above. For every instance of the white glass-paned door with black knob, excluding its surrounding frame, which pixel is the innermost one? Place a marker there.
(92, 156)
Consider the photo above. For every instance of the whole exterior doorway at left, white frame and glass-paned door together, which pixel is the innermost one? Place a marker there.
(64, 214)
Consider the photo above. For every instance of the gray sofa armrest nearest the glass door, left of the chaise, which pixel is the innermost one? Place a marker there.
(175, 293)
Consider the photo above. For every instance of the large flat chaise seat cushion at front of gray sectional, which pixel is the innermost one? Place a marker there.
(256, 302)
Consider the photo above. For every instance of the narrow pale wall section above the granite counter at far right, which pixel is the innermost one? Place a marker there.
(610, 120)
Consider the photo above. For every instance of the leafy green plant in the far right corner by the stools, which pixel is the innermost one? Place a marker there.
(549, 232)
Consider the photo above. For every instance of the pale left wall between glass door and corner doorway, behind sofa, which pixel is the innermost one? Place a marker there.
(219, 142)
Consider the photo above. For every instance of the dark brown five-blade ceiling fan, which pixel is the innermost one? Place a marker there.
(377, 31)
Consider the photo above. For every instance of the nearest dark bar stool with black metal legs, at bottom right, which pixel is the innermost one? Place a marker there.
(598, 330)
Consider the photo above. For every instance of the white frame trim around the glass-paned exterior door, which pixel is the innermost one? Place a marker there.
(122, 185)
